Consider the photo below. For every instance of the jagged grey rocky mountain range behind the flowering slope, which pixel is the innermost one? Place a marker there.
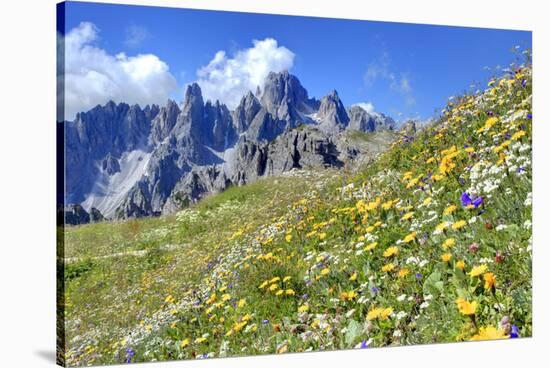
(124, 161)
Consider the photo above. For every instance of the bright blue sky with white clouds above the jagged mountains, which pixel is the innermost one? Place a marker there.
(404, 70)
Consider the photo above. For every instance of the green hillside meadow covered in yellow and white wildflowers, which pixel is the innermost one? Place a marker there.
(429, 243)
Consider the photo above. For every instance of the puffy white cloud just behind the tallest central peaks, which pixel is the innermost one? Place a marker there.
(228, 79)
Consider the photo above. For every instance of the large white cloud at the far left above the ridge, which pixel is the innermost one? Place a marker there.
(93, 76)
